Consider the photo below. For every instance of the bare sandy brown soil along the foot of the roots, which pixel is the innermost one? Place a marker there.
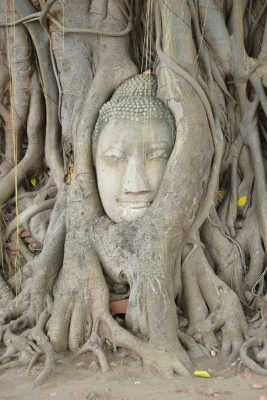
(80, 378)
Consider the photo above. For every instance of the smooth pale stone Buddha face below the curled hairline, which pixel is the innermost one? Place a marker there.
(130, 160)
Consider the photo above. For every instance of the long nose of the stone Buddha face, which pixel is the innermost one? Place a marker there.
(134, 179)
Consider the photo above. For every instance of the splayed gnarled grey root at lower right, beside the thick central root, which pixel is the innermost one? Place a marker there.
(211, 305)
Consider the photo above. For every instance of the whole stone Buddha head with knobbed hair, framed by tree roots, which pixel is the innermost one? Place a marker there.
(133, 139)
